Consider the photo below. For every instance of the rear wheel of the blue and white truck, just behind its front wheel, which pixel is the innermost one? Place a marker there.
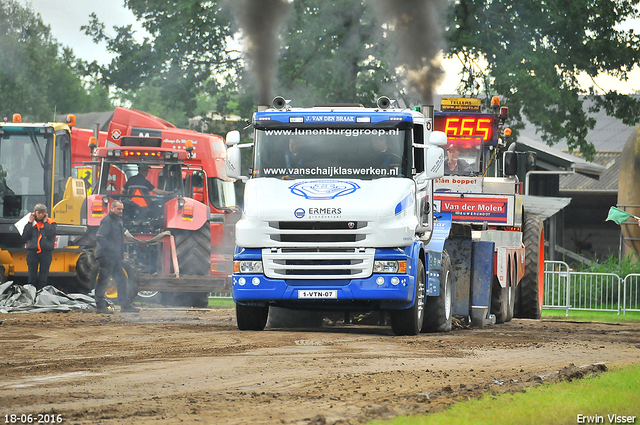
(438, 309)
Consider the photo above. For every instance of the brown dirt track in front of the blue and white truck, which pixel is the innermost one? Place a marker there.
(172, 365)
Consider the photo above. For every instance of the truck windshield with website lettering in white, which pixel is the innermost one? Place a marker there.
(365, 154)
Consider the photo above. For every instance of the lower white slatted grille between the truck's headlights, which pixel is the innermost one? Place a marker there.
(284, 263)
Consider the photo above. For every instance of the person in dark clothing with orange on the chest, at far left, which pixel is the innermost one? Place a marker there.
(40, 236)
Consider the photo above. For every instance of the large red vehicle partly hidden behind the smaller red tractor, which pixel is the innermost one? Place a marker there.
(204, 178)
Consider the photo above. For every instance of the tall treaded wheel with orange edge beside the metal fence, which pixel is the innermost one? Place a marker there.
(532, 283)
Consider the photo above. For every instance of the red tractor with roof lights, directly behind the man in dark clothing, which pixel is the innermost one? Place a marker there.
(169, 240)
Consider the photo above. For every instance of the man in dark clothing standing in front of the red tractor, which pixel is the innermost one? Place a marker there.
(109, 254)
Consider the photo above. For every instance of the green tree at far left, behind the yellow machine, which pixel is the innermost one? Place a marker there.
(39, 78)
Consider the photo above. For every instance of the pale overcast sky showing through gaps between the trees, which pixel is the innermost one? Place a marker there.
(67, 16)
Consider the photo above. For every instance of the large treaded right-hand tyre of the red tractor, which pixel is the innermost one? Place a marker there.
(193, 249)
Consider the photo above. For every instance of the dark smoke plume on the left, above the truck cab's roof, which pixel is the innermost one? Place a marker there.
(260, 22)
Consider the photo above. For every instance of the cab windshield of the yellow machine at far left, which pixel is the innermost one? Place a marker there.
(22, 172)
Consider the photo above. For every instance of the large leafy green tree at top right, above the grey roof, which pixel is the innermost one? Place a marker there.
(535, 51)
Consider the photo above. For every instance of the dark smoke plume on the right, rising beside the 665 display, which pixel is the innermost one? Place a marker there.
(416, 26)
